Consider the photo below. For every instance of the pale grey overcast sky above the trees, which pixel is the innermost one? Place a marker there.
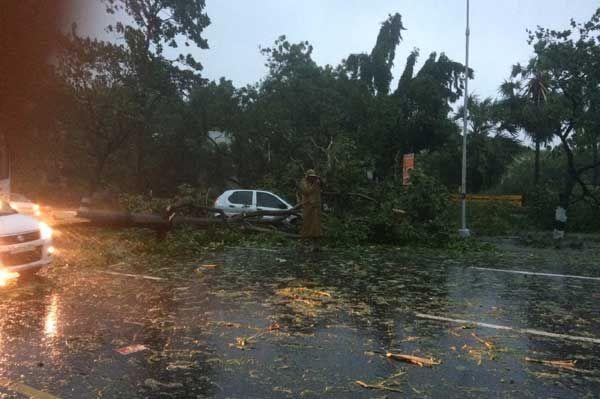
(337, 28)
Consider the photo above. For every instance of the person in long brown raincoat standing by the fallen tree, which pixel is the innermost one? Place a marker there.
(310, 188)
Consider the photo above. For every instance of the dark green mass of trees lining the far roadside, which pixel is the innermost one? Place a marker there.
(135, 114)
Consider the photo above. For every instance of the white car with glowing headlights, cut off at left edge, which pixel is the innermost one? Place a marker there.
(25, 243)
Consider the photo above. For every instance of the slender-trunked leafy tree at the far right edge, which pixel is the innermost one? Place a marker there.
(570, 59)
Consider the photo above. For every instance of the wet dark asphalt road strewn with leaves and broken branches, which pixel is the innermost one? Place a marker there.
(243, 323)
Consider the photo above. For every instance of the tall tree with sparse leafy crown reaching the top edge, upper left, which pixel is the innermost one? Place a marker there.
(149, 26)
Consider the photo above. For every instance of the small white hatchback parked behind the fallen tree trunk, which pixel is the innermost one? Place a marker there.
(247, 201)
